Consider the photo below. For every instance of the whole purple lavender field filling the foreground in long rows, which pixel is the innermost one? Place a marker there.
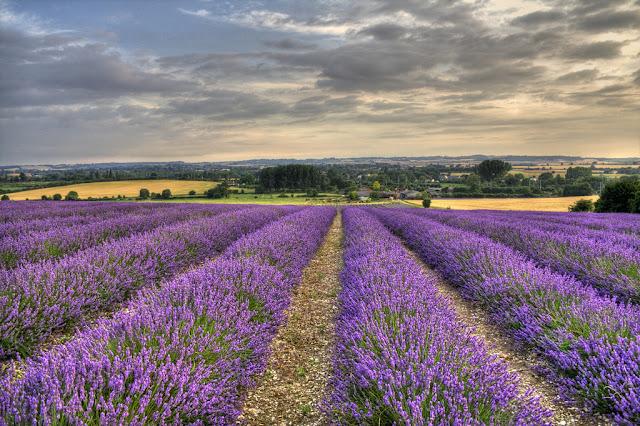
(145, 314)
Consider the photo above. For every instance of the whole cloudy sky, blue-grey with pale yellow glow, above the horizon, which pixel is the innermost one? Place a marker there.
(195, 80)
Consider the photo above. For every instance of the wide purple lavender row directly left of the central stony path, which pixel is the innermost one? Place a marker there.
(182, 354)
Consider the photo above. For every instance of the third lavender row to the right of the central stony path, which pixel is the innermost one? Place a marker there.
(611, 265)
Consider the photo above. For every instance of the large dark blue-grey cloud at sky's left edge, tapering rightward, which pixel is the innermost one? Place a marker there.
(48, 70)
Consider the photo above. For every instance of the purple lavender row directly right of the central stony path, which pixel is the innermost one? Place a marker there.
(402, 355)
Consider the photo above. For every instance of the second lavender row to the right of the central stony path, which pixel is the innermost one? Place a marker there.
(590, 340)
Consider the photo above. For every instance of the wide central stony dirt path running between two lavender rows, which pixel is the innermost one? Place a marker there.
(298, 372)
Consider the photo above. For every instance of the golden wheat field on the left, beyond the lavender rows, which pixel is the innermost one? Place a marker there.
(128, 188)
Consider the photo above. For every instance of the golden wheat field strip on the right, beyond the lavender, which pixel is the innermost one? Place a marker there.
(542, 204)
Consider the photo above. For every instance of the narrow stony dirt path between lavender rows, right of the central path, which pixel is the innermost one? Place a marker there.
(520, 361)
